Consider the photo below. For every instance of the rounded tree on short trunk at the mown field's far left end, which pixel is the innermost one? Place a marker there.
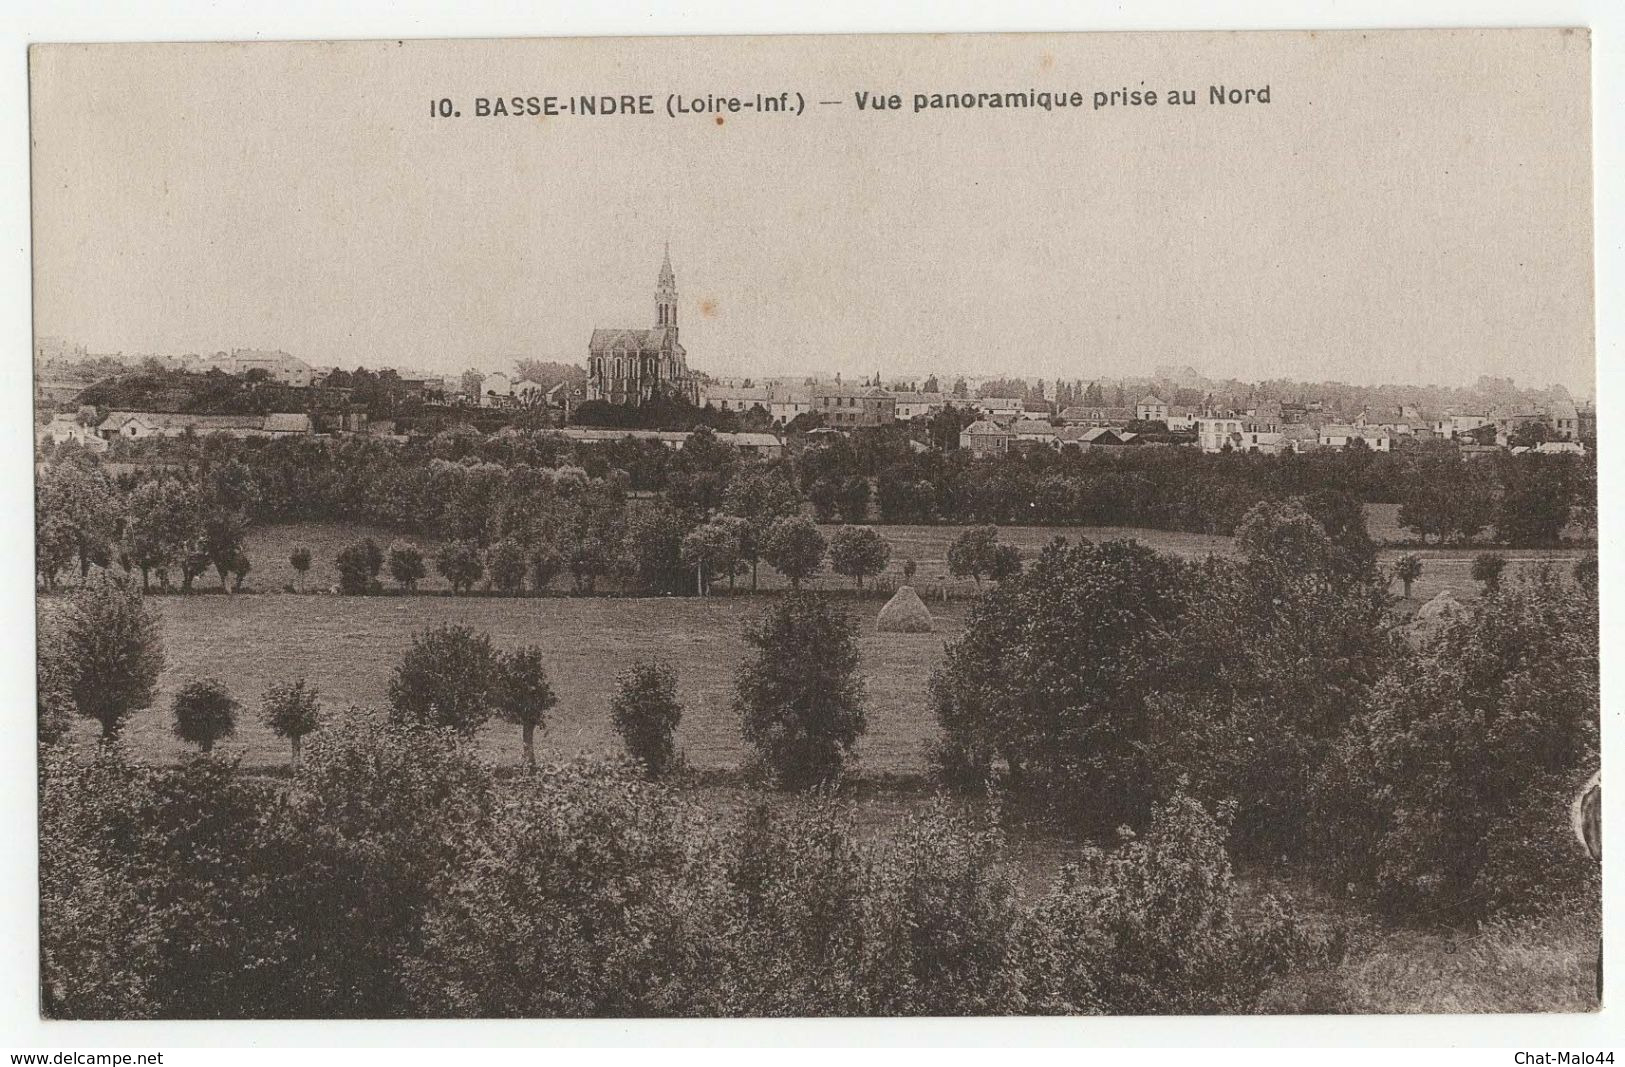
(115, 642)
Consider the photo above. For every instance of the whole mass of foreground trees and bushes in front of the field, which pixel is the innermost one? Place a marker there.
(1161, 714)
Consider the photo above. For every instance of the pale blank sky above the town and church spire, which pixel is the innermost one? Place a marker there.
(1410, 207)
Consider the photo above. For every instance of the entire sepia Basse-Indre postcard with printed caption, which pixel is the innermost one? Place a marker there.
(817, 527)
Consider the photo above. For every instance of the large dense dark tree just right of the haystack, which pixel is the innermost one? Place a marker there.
(1073, 720)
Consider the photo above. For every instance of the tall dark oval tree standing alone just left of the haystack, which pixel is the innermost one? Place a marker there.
(799, 694)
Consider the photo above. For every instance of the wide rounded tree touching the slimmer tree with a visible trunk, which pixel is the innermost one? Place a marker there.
(446, 680)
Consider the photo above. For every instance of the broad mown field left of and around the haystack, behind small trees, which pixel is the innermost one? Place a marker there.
(349, 647)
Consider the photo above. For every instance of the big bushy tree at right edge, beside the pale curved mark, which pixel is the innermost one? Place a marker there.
(1449, 795)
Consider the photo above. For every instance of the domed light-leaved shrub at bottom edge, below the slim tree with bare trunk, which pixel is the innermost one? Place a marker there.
(574, 909)
